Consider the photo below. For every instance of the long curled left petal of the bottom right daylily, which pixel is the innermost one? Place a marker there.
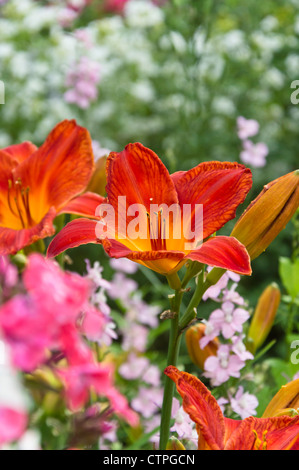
(201, 406)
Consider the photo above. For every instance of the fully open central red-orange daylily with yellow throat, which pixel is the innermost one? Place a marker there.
(138, 174)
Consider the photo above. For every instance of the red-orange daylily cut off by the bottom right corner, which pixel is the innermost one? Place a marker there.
(215, 432)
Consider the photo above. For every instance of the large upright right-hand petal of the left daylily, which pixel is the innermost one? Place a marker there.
(62, 166)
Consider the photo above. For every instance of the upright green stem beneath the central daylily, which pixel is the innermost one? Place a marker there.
(172, 357)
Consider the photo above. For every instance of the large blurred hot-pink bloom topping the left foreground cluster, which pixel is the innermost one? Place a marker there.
(45, 318)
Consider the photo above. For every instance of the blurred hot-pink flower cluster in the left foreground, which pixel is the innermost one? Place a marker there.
(44, 324)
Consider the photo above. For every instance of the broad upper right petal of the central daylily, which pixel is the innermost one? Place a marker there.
(220, 186)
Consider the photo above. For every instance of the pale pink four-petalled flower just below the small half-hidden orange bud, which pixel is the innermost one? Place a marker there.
(223, 366)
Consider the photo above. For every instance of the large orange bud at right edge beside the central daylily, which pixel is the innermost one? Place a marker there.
(268, 214)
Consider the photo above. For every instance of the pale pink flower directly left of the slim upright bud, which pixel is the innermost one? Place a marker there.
(228, 320)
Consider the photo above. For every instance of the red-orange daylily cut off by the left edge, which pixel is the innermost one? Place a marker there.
(36, 184)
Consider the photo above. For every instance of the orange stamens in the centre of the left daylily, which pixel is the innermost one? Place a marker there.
(18, 202)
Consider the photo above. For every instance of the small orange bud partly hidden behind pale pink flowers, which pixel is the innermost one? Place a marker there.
(197, 355)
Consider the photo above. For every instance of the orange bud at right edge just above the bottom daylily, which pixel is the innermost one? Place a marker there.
(285, 402)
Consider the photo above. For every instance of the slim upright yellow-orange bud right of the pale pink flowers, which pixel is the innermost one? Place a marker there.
(263, 317)
